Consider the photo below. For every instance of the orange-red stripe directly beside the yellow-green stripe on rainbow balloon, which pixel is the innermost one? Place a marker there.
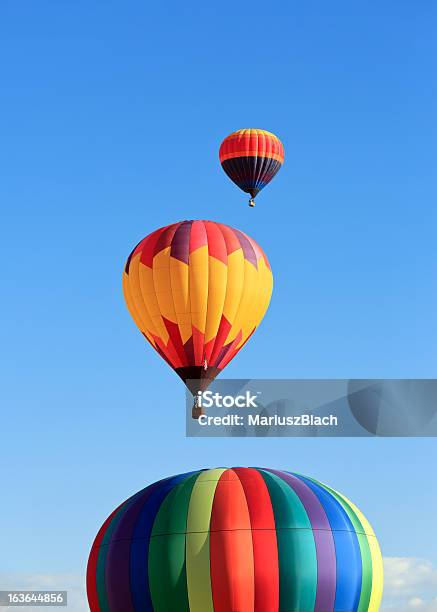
(232, 569)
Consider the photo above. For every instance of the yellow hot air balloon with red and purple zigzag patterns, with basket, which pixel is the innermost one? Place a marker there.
(197, 291)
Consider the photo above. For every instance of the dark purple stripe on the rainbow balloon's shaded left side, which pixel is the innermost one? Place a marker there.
(117, 570)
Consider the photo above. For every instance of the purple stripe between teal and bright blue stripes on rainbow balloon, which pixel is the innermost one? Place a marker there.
(324, 540)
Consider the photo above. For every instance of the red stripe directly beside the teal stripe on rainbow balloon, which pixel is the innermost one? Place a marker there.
(265, 547)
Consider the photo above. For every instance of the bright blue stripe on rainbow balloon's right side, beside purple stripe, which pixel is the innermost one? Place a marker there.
(347, 549)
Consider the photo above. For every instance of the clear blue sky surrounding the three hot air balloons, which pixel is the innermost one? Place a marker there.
(111, 117)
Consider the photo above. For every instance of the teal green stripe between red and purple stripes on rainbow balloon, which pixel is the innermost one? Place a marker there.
(296, 547)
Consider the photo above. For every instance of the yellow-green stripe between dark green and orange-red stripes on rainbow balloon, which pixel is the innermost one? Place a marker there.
(197, 542)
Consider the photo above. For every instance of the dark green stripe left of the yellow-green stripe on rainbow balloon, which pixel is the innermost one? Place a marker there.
(167, 568)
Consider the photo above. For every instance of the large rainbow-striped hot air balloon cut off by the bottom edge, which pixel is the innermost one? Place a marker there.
(252, 540)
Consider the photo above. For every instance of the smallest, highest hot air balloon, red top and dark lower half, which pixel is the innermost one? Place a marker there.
(251, 158)
